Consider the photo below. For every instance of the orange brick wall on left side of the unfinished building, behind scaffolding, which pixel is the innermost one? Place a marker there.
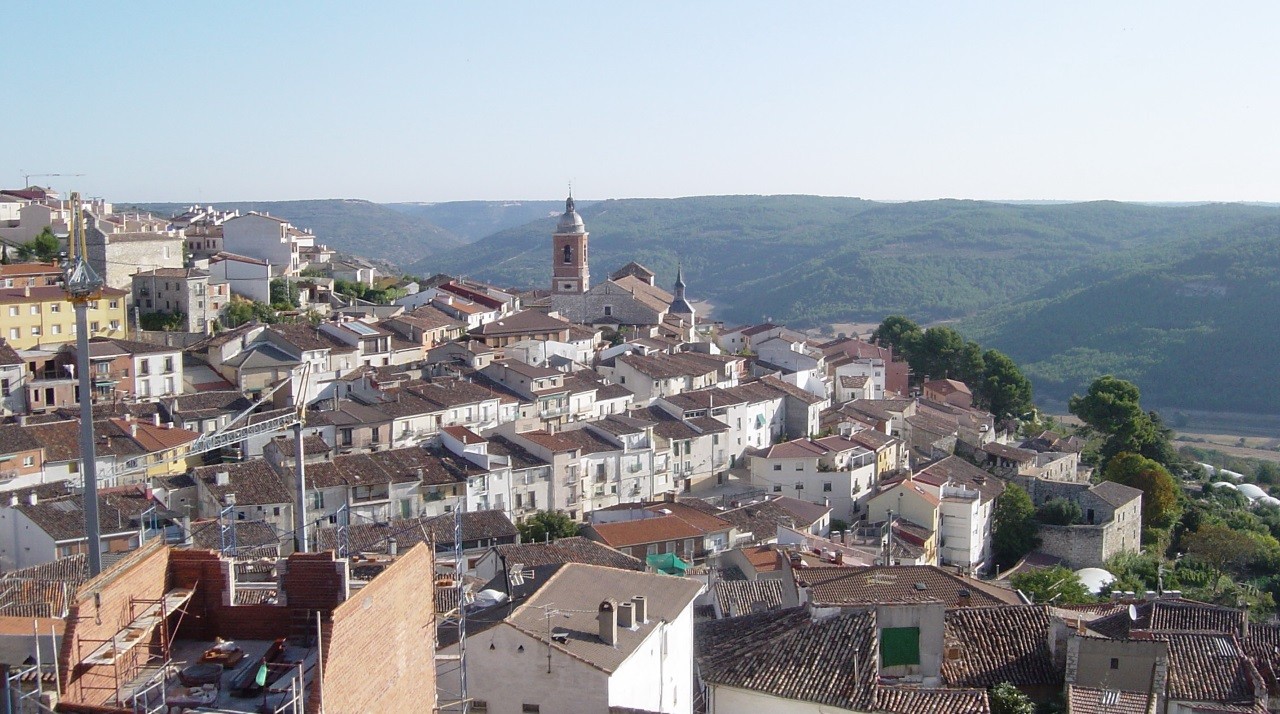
(100, 610)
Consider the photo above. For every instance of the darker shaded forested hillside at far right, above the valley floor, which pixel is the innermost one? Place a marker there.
(1196, 326)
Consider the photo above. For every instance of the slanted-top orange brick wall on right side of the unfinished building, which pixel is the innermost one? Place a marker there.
(380, 649)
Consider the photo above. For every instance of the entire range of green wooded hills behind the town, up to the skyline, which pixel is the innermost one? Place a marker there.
(1181, 299)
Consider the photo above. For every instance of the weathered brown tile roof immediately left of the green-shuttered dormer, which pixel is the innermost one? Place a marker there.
(789, 656)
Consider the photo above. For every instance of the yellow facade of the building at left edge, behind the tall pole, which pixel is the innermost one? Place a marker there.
(42, 315)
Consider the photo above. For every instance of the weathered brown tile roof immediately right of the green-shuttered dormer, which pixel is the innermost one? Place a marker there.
(986, 647)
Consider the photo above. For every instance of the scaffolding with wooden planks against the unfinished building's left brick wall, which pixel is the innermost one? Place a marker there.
(135, 661)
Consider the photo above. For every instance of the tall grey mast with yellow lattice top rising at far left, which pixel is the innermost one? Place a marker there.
(83, 286)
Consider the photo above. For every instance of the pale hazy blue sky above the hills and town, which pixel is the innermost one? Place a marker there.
(432, 102)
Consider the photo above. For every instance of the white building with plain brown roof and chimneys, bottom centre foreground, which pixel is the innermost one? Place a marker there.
(589, 638)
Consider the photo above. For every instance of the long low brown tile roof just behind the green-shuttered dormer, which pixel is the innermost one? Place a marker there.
(898, 584)
